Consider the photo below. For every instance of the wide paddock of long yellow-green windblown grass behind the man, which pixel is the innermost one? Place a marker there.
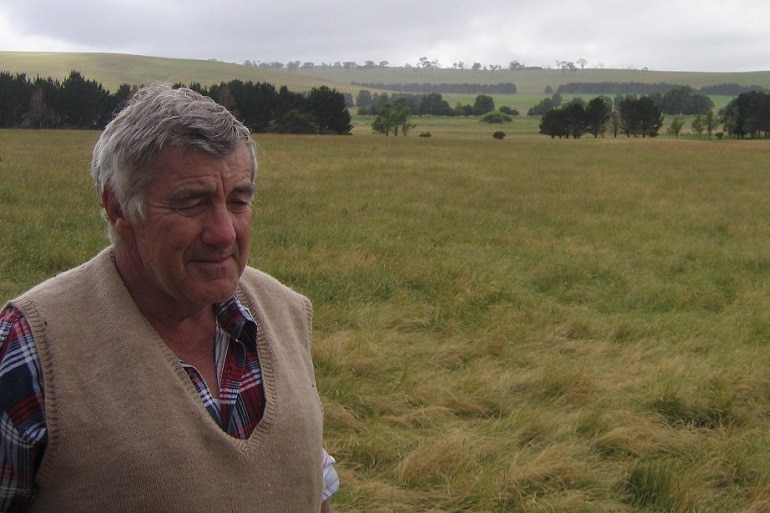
(520, 325)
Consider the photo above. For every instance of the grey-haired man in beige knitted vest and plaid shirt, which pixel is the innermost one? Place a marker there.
(164, 374)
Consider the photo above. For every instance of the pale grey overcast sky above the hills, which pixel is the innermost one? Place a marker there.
(673, 35)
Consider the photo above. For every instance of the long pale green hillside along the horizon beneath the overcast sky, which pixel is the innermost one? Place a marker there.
(115, 69)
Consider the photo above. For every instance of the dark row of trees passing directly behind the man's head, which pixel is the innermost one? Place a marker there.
(77, 102)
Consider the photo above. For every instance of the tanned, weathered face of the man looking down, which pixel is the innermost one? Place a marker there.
(193, 244)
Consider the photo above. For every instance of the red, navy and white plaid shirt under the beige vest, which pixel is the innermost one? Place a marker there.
(23, 433)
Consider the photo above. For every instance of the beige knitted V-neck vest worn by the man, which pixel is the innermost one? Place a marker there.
(127, 431)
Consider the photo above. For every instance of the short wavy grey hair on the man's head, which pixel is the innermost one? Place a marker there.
(157, 117)
